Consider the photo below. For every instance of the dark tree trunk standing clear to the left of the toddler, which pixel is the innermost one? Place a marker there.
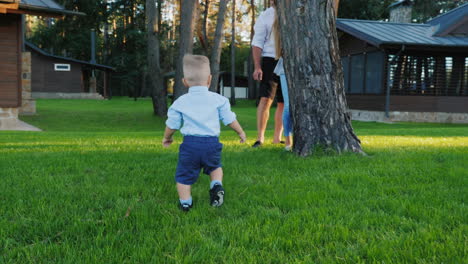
(158, 93)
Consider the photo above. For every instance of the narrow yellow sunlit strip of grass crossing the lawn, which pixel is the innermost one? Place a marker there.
(231, 143)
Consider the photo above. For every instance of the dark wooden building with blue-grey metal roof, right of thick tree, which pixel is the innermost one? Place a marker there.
(407, 72)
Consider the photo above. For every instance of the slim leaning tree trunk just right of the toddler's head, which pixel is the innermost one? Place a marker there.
(216, 50)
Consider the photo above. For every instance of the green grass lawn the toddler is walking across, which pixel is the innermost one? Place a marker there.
(97, 187)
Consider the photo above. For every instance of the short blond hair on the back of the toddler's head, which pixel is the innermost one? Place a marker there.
(196, 70)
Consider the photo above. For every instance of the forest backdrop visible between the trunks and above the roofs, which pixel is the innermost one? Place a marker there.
(121, 35)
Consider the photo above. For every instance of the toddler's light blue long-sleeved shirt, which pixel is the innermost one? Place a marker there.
(198, 113)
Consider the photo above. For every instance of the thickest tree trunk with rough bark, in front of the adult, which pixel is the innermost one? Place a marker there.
(315, 77)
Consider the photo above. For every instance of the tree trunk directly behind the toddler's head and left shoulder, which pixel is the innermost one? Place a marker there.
(187, 25)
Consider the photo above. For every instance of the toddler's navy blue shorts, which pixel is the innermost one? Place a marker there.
(196, 153)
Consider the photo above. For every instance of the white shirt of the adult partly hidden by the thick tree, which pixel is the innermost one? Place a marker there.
(264, 36)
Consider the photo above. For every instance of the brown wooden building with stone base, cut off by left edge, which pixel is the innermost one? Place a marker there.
(15, 69)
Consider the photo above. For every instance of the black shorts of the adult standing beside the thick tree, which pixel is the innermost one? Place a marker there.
(268, 66)
